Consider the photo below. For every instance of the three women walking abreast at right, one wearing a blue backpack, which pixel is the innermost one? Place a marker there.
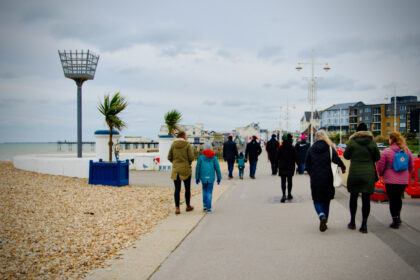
(363, 154)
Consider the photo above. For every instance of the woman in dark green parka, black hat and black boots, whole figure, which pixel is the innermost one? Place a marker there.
(362, 153)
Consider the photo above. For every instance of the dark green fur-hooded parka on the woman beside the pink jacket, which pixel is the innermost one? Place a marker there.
(362, 153)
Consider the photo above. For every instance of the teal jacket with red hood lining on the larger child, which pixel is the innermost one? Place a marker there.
(207, 166)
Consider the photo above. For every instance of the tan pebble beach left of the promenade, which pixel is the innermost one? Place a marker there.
(56, 227)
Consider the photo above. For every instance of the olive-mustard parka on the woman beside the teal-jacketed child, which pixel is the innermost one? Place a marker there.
(181, 155)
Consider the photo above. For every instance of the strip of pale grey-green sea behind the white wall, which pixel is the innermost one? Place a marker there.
(9, 150)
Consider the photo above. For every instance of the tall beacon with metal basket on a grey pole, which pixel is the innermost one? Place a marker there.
(80, 67)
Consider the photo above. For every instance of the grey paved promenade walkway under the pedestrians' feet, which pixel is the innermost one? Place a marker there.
(251, 235)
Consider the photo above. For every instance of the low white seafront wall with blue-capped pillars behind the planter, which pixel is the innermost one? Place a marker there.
(72, 166)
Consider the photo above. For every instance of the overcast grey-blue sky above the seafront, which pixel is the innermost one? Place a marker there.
(222, 63)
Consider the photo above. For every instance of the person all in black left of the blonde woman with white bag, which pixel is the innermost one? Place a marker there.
(286, 158)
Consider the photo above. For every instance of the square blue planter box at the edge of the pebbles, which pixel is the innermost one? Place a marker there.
(109, 173)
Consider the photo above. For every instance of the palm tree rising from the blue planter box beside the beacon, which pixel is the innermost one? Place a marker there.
(110, 110)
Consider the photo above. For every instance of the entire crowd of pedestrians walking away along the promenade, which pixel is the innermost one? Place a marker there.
(361, 150)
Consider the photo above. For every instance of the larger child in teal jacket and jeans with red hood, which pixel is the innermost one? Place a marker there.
(207, 167)
